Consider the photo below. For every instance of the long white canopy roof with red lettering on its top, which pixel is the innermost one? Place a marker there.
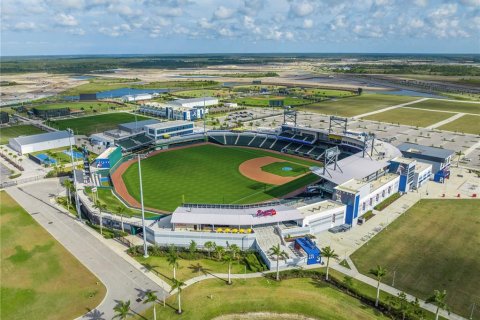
(229, 216)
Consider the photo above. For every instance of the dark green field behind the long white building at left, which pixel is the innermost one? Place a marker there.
(93, 124)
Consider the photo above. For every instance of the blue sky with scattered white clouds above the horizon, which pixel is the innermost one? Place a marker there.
(31, 27)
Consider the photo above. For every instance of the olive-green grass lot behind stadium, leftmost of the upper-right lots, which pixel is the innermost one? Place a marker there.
(353, 106)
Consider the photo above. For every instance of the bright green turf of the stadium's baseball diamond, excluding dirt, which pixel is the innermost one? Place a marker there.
(205, 174)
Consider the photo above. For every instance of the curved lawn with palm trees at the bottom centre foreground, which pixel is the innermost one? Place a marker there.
(212, 298)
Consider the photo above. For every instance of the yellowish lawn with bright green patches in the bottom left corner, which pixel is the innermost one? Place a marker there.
(40, 279)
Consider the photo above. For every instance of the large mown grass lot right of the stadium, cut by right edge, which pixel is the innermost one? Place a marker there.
(434, 245)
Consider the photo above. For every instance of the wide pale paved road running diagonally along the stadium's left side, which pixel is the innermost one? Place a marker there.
(123, 280)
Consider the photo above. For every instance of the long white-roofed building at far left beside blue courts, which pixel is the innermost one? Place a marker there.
(42, 141)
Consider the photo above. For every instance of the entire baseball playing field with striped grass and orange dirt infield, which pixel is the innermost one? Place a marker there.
(209, 173)
